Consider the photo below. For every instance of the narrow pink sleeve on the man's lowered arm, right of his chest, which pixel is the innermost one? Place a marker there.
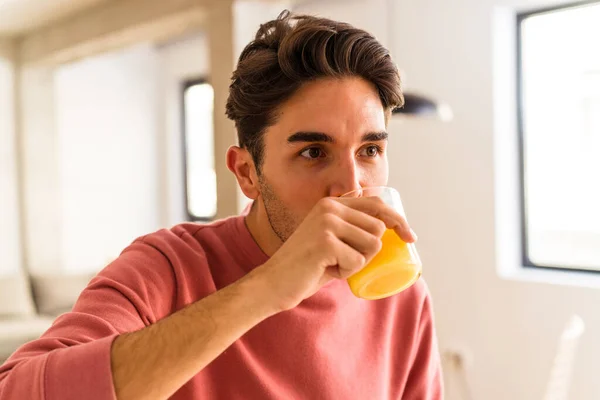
(425, 380)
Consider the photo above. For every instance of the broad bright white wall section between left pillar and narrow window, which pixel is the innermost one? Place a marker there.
(107, 133)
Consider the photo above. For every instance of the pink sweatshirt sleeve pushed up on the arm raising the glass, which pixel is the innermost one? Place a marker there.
(72, 359)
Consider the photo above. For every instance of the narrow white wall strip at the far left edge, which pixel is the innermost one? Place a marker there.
(9, 211)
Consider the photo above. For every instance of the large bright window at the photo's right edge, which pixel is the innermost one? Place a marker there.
(559, 118)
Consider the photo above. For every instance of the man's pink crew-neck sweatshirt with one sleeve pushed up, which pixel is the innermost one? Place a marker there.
(332, 346)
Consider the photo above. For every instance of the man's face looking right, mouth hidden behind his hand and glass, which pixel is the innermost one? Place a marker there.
(329, 139)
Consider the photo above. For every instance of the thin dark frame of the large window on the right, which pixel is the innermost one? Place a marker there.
(525, 259)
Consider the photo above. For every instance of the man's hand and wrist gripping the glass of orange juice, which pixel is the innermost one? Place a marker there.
(337, 238)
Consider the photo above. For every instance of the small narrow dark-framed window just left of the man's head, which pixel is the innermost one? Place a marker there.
(198, 130)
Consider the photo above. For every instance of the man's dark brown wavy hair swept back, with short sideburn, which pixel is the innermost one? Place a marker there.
(292, 50)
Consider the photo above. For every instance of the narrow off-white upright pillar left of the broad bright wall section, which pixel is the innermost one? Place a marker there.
(42, 222)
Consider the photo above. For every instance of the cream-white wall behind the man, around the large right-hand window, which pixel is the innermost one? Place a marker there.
(445, 172)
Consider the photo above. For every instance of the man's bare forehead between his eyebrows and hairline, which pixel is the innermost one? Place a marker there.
(341, 107)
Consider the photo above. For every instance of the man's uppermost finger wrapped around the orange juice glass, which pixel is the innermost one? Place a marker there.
(375, 207)
